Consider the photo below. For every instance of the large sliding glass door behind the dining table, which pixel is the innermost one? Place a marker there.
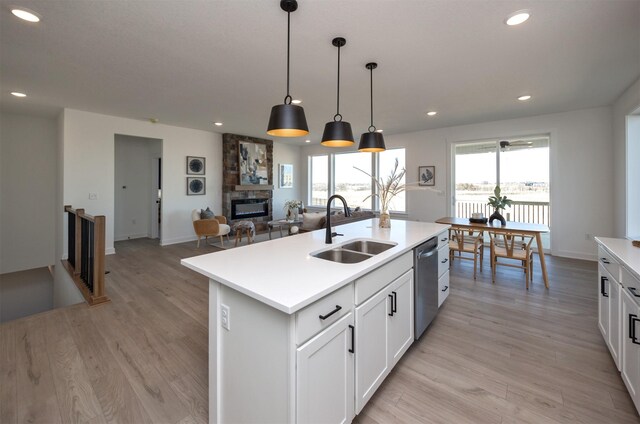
(520, 166)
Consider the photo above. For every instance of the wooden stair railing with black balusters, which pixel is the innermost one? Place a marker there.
(86, 263)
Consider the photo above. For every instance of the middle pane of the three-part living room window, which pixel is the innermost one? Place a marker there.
(353, 185)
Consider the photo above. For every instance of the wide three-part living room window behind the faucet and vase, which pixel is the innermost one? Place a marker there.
(337, 174)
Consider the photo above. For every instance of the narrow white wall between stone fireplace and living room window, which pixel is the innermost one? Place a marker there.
(284, 153)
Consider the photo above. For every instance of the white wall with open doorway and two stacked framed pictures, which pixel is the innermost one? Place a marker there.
(90, 165)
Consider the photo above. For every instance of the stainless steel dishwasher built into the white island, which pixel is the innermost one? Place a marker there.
(425, 268)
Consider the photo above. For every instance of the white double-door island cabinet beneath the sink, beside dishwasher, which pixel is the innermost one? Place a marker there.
(384, 331)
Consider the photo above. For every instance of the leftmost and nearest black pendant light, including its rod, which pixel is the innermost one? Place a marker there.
(288, 120)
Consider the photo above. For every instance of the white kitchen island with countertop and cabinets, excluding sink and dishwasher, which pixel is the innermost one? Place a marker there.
(298, 339)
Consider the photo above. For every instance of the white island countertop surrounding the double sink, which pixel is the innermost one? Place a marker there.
(282, 274)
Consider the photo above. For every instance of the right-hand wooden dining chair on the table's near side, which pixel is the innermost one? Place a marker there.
(514, 247)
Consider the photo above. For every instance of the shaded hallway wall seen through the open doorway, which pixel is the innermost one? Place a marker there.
(134, 177)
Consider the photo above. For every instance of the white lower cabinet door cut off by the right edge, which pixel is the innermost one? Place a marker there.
(630, 350)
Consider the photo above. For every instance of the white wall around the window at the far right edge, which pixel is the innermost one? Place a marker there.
(628, 102)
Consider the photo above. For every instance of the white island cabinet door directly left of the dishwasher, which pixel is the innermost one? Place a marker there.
(401, 320)
